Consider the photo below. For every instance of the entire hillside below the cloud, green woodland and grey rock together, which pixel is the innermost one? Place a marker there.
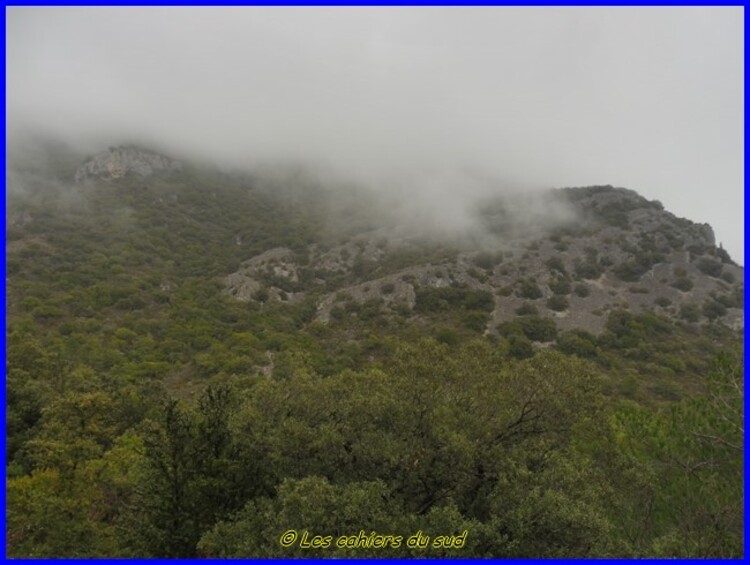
(198, 359)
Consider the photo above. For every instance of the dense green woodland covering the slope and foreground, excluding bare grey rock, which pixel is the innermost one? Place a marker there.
(151, 414)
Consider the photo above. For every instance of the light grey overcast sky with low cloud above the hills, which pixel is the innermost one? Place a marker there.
(646, 98)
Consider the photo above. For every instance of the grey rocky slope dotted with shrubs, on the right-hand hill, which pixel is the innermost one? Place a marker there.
(621, 252)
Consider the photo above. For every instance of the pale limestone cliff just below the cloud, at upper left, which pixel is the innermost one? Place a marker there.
(118, 162)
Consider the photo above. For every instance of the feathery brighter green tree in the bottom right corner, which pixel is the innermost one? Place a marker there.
(693, 451)
